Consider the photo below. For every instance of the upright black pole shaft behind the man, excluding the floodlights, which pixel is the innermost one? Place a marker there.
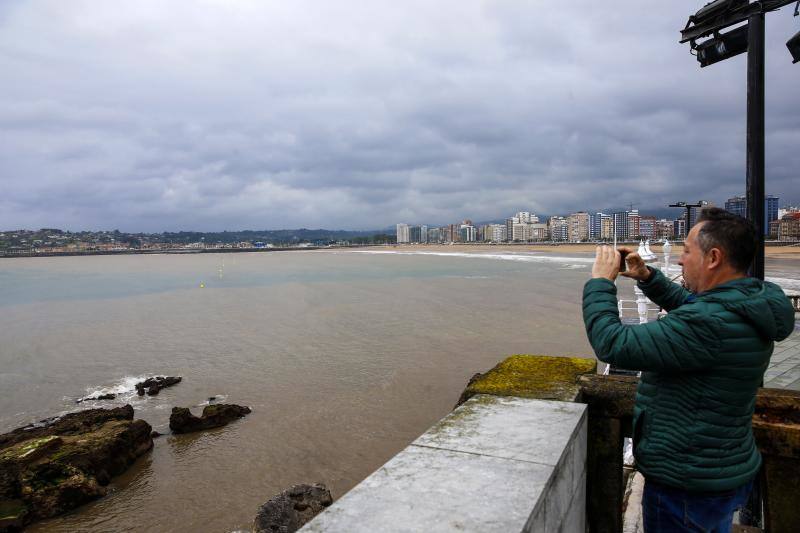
(755, 137)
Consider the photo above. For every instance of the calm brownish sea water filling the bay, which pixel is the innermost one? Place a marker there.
(344, 356)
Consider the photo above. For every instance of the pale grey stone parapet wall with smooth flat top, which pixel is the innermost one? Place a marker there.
(493, 464)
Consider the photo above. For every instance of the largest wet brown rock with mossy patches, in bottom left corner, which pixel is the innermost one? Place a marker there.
(51, 467)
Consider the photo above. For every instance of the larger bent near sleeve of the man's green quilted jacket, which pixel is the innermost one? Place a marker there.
(685, 339)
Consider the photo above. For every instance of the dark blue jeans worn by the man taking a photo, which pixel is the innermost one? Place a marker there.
(666, 509)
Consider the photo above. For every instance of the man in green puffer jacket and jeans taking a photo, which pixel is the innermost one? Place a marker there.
(701, 366)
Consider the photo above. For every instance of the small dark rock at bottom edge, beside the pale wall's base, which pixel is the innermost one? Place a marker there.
(292, 509)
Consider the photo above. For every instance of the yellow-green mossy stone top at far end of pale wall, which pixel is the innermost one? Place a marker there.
(531, 376)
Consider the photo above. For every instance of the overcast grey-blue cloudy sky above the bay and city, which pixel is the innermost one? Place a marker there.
(225, 114)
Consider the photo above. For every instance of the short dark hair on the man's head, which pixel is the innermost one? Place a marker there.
(731, 233)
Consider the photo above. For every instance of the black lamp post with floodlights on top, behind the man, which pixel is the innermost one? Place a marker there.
(709, 21)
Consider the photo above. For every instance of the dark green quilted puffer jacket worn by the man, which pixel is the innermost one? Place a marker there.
(701, 365)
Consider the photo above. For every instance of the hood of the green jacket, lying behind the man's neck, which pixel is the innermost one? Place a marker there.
(761, 303)
